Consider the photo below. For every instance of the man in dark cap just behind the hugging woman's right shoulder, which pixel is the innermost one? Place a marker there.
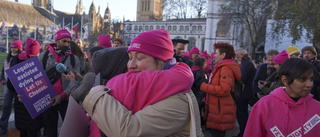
(179, 46)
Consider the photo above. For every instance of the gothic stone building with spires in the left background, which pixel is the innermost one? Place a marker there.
(41, 14)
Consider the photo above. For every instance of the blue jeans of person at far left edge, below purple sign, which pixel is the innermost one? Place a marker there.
(6, 109)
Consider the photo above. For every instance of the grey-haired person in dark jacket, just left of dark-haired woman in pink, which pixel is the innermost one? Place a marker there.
(266, 71)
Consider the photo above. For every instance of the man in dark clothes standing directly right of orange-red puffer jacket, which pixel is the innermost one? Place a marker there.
(247, 74)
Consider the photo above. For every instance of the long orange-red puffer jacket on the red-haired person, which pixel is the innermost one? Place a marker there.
(220, 108)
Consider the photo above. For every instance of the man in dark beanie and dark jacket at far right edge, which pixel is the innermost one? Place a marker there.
(310, 53)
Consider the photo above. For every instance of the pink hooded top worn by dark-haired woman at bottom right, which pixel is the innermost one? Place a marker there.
(279, 115)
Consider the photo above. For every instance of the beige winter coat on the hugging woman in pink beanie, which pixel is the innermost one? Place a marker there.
(170, 117)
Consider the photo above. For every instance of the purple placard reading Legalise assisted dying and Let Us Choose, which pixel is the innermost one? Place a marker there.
(31, 82)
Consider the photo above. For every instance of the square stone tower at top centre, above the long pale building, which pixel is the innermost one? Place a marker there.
(149, 10)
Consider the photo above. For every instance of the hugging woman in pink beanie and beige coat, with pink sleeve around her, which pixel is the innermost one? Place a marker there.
(147, 90)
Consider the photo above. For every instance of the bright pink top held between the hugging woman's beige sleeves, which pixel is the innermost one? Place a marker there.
(138, 90)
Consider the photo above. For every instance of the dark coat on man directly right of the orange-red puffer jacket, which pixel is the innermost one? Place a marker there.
(247, 74)
